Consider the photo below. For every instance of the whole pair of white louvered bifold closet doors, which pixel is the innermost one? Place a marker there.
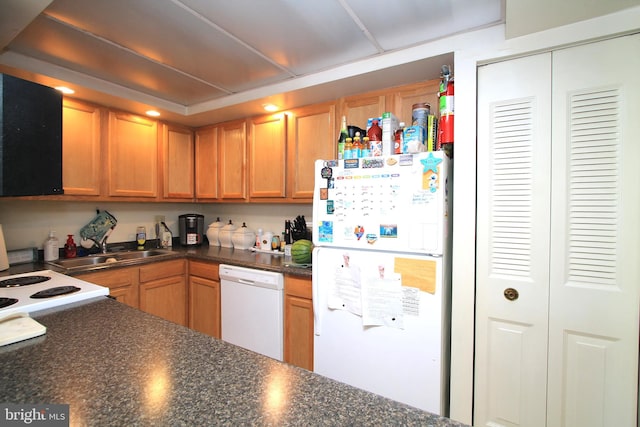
(579, 284)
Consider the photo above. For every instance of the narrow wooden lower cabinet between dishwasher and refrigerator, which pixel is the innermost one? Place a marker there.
(298, 322)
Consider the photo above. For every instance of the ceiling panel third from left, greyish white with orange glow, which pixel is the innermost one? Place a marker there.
(303, 36)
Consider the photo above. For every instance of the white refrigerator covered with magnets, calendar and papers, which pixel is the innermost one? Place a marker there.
(381, 275)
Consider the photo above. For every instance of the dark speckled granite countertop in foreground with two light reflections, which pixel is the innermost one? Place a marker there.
(115, 365)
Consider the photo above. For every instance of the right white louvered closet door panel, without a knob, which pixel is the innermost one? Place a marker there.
(595, 235)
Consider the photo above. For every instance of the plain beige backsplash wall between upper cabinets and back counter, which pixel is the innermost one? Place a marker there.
(26, 223)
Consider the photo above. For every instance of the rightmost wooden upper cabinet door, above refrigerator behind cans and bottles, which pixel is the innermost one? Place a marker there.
(402, 99)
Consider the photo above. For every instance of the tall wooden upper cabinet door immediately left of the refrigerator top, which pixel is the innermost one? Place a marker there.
(312, 135)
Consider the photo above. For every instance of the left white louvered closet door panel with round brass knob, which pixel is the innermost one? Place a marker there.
(513, 185)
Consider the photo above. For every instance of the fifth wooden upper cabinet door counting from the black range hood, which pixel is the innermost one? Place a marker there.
(232, 164)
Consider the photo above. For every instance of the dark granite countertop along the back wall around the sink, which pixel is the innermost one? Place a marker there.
(243, 258)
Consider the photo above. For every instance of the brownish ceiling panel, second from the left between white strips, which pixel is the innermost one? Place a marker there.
(171, 35)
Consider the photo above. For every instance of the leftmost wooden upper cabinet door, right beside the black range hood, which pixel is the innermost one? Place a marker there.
(81, 167)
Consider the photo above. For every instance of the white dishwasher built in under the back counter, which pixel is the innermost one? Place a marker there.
(252, 309)
